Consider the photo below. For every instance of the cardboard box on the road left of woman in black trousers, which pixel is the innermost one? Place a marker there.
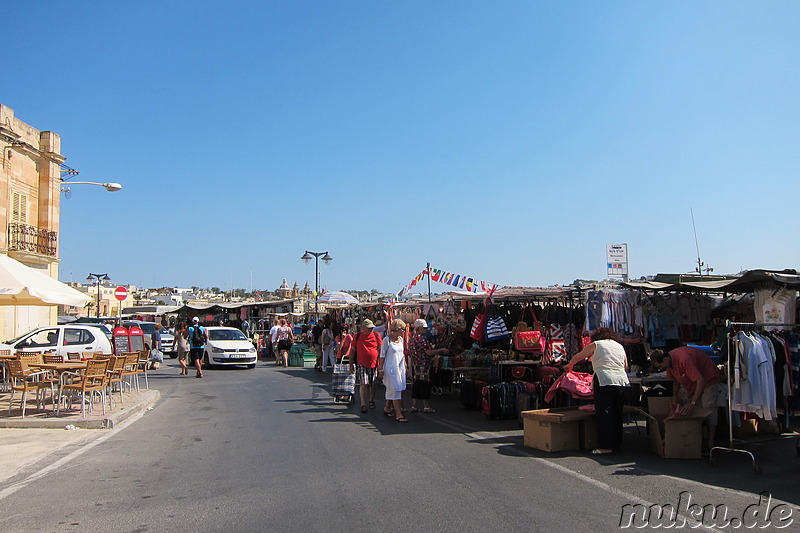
(556, 430)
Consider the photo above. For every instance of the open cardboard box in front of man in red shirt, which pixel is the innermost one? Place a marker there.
(675, 438)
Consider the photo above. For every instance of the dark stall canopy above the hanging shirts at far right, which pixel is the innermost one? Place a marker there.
(747, 282)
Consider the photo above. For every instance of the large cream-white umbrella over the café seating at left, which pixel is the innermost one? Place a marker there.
(23, 285)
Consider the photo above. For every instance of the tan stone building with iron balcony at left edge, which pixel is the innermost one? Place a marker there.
(30, 186)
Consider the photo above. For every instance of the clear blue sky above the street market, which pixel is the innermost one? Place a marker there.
(508, 141)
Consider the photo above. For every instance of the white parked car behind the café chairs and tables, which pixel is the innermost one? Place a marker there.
(61, 339)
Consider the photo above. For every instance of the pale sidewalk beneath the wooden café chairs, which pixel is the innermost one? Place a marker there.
(26, 441)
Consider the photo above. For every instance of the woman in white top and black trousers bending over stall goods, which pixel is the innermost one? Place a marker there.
(610, 381)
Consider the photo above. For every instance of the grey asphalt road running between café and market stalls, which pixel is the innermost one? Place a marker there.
(268, 450)
